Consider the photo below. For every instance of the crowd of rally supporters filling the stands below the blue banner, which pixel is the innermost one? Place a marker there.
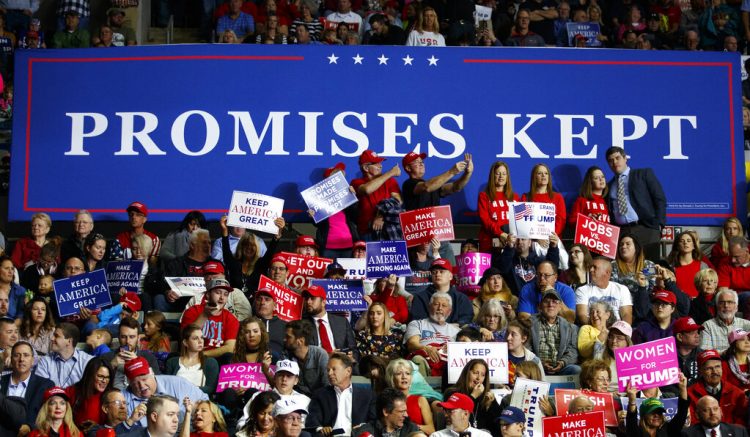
(131, 370)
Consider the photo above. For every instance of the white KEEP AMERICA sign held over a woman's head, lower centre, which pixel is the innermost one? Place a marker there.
(494, 354)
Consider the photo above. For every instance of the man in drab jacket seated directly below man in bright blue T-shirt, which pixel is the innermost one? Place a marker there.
(554, 339)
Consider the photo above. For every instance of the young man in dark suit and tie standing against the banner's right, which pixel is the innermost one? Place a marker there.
(636, 202)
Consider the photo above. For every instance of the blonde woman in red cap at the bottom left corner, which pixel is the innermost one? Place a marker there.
(56, 416)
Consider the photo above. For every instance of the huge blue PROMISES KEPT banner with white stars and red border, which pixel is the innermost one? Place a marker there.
(275, 129)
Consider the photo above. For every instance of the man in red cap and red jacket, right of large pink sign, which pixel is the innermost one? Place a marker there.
(731, 399)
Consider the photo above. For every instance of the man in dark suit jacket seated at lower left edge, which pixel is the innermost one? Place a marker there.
(22, 383)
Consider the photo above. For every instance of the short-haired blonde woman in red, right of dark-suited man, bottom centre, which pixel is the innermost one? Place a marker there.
(400, 375)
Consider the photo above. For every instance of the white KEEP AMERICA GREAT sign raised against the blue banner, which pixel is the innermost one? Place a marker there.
(255, 211)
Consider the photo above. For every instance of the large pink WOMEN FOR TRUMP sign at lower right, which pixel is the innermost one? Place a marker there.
(646, 365)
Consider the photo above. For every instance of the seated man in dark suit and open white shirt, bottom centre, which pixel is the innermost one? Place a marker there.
(340, 405)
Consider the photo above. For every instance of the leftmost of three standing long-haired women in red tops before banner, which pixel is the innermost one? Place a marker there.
(493, 205)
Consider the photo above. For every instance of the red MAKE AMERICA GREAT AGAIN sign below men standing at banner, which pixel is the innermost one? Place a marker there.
(420, 225)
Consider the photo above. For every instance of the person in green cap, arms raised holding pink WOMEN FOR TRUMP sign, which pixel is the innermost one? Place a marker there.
(652, 422)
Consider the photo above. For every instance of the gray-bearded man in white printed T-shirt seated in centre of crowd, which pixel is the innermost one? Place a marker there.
(426, 338)
